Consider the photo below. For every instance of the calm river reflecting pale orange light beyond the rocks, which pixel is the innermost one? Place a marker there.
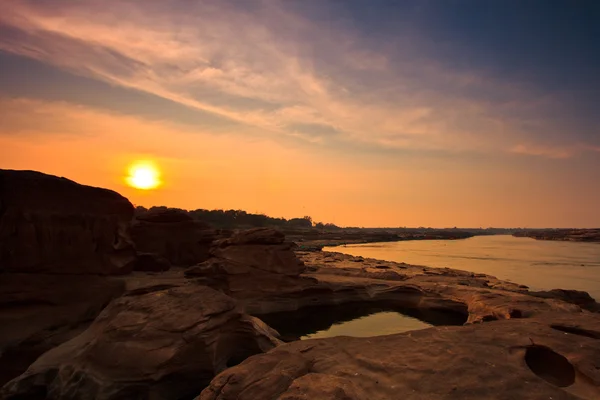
(541, 265)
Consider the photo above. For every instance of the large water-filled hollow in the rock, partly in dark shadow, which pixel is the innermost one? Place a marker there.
(356, 319)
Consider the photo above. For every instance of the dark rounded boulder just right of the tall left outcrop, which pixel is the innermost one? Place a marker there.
(173, 235)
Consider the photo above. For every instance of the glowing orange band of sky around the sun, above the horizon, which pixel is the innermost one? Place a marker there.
(259, 175)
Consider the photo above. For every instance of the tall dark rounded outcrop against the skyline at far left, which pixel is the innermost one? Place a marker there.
(54, 225)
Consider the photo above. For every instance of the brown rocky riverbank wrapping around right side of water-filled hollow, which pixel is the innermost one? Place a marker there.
(515, 343)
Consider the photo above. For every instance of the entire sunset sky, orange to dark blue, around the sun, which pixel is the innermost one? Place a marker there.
(361, 113)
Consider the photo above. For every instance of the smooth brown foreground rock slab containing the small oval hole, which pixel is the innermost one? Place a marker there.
(554, 356)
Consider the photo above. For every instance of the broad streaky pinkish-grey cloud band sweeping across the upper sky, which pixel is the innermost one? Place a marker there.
(274, 70)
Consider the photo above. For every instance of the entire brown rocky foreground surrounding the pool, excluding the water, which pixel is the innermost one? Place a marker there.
(95, 304)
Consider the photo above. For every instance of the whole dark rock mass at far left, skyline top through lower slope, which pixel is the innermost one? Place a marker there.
(57, 240)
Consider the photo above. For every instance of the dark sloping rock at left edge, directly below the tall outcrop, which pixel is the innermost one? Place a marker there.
(39, 312)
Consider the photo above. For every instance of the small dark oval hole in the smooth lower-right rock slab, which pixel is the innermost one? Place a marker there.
(550, 366)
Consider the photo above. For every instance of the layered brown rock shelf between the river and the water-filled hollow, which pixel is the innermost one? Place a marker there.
(335, 278)
